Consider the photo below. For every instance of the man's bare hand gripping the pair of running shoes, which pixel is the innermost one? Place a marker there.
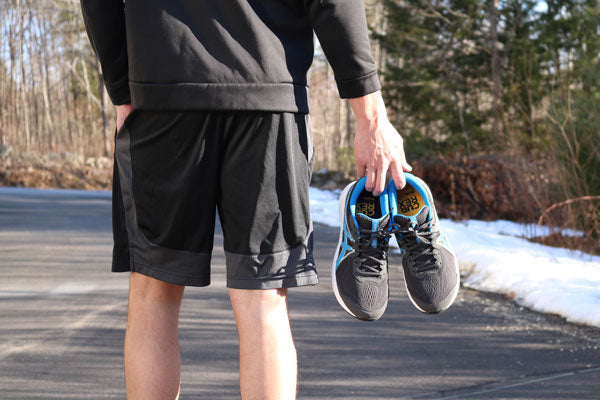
(378, 147)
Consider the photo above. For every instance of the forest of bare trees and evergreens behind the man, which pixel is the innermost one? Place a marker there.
(498, 103)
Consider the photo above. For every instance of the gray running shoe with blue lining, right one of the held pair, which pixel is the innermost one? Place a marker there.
(430, 266)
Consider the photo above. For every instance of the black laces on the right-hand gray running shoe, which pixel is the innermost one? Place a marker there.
(418, 239)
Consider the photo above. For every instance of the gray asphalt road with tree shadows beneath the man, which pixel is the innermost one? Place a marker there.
(62, 320)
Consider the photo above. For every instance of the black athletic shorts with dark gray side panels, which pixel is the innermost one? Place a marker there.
(174, 169)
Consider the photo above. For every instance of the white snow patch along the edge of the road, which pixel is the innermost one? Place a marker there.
(495, 257)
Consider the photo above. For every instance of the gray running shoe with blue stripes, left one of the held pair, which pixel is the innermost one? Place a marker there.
(360, 266)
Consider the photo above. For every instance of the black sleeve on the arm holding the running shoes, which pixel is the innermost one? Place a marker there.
(341, 27)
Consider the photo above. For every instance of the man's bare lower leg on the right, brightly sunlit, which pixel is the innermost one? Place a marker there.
(267, 352)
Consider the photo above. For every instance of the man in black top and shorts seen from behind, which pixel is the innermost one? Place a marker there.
(220, 121)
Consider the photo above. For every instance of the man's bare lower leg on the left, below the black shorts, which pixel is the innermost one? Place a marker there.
(152, 359)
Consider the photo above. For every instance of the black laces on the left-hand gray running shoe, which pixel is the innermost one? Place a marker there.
(371, 258)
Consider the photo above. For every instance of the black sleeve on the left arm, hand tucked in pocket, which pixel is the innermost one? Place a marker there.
(105, 25)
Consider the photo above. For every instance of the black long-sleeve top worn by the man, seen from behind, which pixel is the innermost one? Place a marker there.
(227, 54)
